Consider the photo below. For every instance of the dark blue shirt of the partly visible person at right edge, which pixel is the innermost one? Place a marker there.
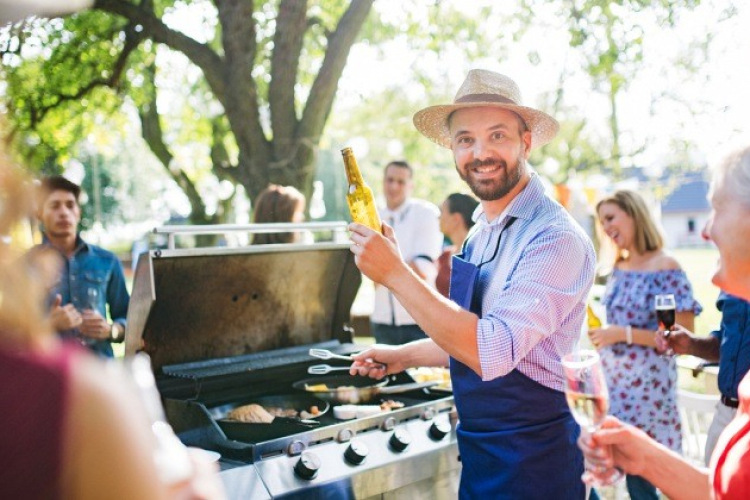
(734, 337)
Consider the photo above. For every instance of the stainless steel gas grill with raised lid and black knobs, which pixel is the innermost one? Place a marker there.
(224, 326)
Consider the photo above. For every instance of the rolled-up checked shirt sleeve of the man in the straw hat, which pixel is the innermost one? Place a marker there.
(544, 292)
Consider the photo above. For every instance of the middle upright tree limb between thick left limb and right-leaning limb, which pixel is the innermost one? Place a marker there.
(291, 24)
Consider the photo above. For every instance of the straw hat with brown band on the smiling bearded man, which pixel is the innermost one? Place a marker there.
(485, 88)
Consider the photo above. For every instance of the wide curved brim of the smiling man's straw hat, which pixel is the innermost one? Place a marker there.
(432, 122)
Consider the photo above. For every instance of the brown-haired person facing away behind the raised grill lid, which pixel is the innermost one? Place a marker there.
(278, 204)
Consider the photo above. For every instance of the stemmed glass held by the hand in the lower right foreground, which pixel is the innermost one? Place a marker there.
(588, 398)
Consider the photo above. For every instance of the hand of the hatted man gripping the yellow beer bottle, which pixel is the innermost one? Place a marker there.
(376, 255)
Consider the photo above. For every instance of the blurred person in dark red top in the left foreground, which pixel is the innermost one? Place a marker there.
(64, 431)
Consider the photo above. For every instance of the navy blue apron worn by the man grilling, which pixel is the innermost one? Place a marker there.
(516, 437)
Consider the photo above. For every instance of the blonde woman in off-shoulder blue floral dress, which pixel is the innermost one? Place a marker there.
(642, 382)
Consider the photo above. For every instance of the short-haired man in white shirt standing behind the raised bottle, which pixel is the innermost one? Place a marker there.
(417, 227)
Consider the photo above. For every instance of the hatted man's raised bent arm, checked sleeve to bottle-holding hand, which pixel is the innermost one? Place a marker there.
(531, 308)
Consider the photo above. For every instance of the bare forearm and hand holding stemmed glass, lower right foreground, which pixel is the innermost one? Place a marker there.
(620, 445)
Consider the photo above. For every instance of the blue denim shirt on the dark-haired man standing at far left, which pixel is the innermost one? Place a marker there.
(92, 267)
